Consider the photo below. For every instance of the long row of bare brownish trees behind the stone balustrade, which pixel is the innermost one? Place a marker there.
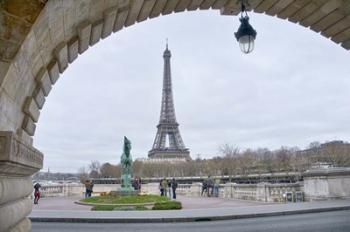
(232, 161)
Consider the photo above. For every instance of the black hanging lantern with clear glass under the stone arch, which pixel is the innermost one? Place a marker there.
(246, 33)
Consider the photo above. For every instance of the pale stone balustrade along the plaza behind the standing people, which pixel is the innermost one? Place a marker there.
(318, 185)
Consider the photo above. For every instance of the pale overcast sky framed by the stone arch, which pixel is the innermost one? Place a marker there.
(293, 89)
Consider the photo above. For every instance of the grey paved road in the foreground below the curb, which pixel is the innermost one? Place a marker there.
(320, 222)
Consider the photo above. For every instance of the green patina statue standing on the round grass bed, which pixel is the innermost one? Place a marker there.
(126, 162)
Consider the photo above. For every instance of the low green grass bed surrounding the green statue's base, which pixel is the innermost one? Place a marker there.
(126, 199)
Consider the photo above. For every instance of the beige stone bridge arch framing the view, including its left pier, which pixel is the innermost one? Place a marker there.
(39, 39)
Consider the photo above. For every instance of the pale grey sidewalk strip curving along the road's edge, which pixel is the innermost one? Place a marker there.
(187, 215)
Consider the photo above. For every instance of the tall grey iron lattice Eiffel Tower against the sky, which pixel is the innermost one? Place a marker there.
(168, 143)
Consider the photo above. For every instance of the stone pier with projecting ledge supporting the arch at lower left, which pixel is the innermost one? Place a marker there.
(18, 161)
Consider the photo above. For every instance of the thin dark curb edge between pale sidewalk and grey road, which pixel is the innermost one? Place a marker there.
(186, 219)
